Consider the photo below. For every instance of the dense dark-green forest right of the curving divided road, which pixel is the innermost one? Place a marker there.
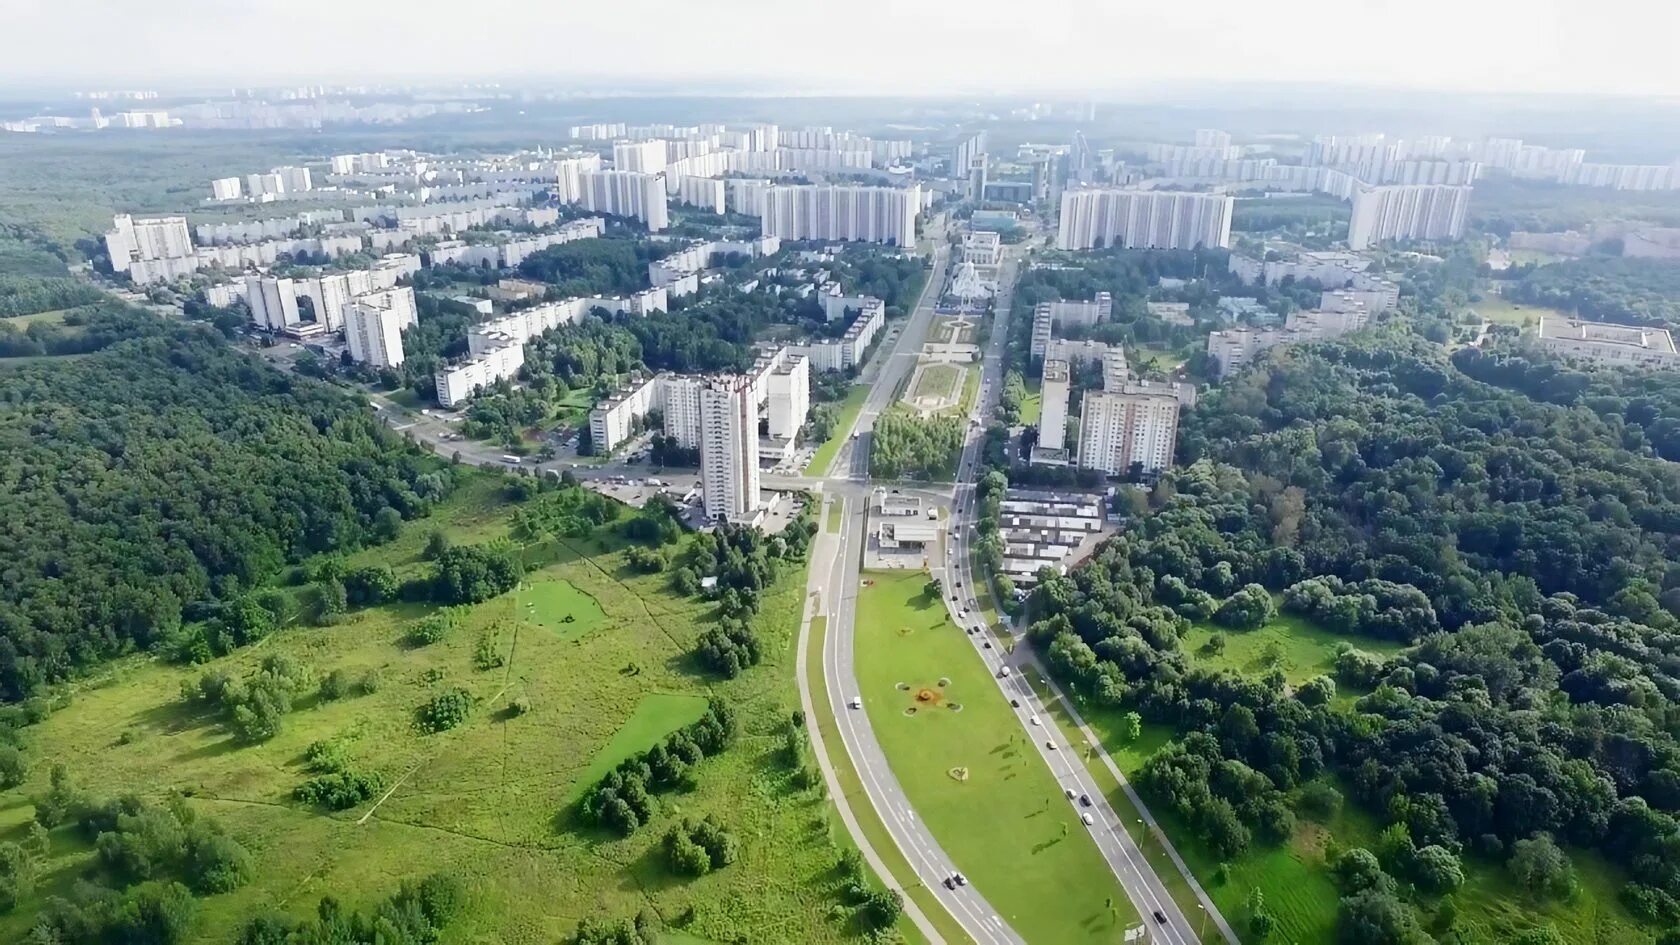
(1523, 549)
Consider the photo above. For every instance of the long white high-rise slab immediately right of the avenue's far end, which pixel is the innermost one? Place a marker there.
(1145, 219)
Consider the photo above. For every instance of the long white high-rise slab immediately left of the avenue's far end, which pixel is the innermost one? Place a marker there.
(873, 214)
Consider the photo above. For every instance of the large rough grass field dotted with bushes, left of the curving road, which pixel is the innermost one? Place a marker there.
(490, 801)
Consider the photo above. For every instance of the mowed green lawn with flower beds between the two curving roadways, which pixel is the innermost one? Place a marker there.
(1005, 825)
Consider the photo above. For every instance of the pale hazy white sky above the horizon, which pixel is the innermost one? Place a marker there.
(859, 46)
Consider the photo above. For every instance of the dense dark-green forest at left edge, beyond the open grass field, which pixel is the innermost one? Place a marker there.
(171, 470)
